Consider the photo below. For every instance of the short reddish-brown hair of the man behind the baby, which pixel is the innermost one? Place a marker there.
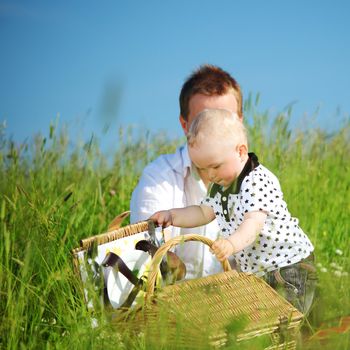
(209, 80)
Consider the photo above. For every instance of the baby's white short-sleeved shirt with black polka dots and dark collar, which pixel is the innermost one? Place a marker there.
(281, 242)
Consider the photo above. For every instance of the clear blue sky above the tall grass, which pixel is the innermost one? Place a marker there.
(109, 63)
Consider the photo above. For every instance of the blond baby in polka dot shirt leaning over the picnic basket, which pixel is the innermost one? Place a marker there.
(247, 201)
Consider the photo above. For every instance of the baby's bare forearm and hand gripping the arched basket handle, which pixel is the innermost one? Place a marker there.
(244, 236)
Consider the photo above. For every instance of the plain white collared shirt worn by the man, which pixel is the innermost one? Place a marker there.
(170, 181)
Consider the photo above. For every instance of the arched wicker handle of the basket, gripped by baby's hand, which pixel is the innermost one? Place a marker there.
(158, 256)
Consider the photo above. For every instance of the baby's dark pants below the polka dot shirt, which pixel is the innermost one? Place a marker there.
(296, 283)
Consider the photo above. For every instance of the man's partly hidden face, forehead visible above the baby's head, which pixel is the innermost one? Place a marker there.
(200, 102)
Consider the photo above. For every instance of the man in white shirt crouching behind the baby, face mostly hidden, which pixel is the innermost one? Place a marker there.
(172, 180)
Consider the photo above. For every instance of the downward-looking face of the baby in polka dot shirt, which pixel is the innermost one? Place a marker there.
(219, 160)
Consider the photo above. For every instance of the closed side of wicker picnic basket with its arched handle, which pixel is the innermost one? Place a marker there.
(191, 312)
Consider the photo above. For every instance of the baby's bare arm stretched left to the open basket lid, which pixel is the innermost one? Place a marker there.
(192, 216)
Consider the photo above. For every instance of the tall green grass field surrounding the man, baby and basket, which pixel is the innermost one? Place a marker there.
(55, 192)
